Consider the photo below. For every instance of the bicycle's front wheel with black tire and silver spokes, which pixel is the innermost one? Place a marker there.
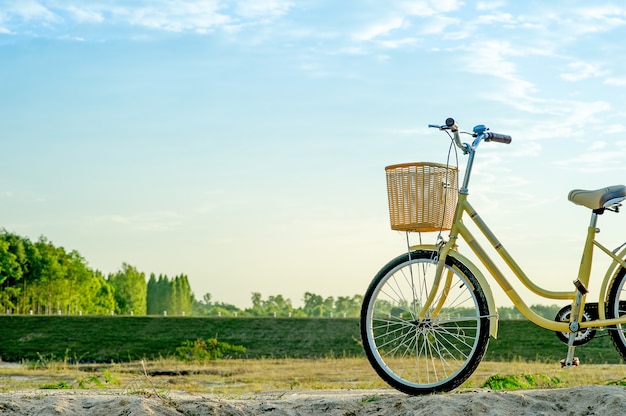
(439, 353)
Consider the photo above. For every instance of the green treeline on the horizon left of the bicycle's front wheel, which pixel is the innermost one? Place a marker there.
(43, 279)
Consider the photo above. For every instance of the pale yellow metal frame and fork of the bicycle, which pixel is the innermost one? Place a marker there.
(584, 273)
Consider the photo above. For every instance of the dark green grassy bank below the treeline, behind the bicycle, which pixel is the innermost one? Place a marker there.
(122, 339)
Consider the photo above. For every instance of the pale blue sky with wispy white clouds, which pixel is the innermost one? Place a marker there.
(243, 143)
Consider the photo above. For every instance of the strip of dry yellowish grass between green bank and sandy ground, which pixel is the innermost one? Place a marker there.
(237, 377)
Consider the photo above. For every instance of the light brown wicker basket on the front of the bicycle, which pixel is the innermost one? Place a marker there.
(422, 196)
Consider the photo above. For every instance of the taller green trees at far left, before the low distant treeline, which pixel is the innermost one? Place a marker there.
(41, 278)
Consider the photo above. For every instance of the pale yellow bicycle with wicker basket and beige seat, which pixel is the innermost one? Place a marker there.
(427, 315)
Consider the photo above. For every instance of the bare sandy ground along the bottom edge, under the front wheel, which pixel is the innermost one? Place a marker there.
(588, 400)
